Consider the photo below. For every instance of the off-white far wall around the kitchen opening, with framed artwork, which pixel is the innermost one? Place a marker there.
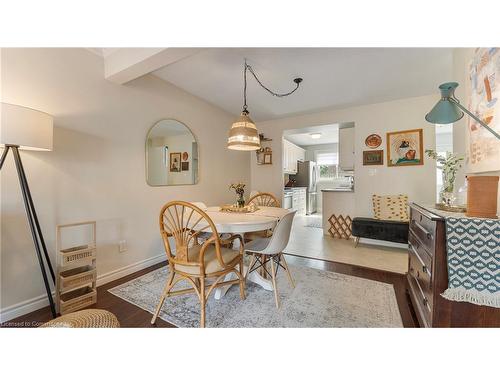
(419, 182)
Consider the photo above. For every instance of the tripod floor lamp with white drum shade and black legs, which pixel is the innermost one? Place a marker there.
(23, 128)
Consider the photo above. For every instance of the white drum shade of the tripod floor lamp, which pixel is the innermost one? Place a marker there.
(25, 127)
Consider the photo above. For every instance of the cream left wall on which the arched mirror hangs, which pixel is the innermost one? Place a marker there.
(97, 168)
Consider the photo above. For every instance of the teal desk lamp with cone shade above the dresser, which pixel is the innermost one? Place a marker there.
(449, 110)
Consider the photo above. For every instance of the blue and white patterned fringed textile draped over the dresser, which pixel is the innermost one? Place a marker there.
(473, 250)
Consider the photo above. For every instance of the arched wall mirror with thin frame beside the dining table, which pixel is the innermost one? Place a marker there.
(171, 154)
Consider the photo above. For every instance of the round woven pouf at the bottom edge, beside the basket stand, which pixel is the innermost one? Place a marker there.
(91, 318)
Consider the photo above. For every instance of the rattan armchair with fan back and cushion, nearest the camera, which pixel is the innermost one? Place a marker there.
(183, 222)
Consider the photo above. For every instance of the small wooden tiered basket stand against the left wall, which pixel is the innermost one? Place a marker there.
(76, 282)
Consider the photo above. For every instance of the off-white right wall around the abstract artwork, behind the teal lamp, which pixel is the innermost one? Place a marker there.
(461, 60)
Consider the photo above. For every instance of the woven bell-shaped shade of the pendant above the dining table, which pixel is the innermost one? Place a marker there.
(243, 135)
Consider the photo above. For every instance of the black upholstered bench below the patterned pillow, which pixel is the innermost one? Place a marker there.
(376, 229)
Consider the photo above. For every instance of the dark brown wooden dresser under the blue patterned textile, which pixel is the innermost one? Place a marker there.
(428, 277)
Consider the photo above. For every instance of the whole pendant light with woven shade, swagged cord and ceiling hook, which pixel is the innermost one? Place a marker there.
(243, 135)
